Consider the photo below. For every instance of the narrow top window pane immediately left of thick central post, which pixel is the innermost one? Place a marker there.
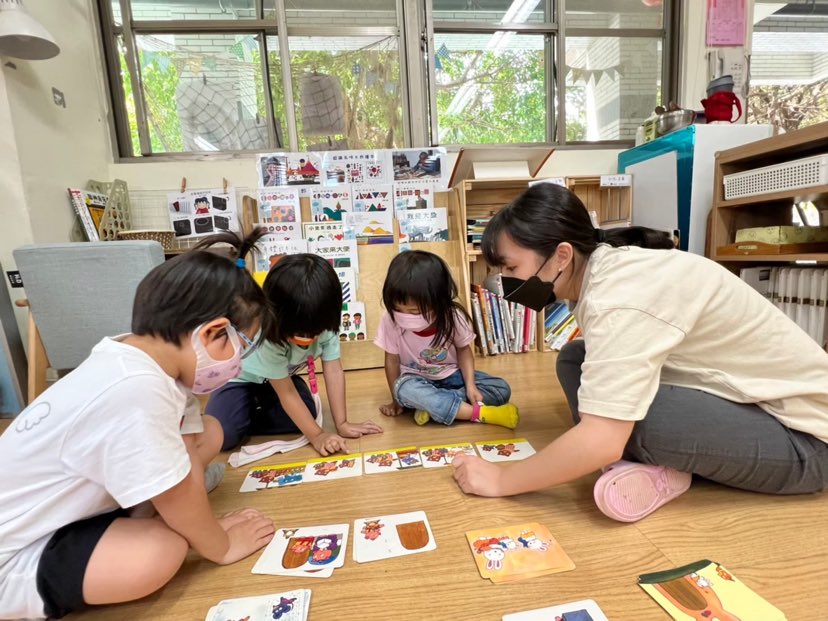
(341, 12)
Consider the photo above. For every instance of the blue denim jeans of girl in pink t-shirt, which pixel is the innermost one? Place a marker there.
(442, 398)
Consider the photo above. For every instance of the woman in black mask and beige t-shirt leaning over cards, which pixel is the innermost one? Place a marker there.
(683, 368)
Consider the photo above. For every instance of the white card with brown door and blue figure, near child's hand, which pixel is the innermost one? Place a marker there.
(302, 551)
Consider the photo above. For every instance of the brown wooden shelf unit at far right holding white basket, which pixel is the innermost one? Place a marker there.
(769, 209)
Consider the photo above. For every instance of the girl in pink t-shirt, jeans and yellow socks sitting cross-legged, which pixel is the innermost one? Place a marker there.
(427, 340)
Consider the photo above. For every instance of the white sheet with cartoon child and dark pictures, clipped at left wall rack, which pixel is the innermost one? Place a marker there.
(203, 212)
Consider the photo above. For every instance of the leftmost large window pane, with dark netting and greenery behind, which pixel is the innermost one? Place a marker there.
(203, 92)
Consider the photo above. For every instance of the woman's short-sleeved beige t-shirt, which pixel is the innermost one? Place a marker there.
(666, 316)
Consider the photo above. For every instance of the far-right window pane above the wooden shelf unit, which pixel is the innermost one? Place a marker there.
(789, 67)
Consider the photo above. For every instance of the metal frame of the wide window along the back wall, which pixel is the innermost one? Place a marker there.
(415, 28)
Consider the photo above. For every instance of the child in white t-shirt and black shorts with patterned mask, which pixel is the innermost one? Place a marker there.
(108, 437)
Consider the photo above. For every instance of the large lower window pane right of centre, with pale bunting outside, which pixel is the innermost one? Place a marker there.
(612, 85)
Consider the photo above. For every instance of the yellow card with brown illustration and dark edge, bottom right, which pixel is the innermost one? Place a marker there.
(703, 590)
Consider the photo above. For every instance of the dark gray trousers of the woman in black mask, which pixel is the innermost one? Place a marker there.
(735, 444)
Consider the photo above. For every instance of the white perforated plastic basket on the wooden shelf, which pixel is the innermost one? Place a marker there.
(803, 173)
